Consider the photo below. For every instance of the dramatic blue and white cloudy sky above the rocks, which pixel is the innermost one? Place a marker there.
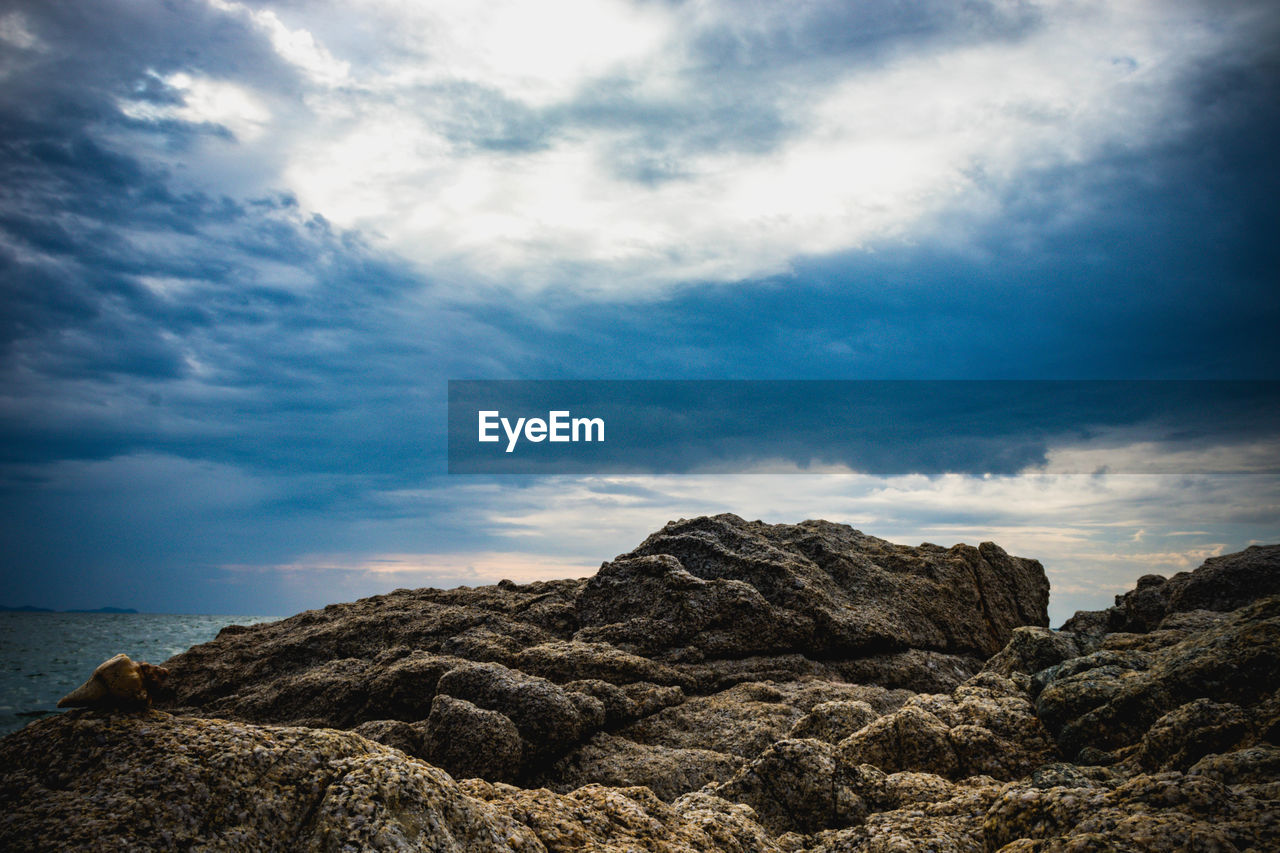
(245, 247)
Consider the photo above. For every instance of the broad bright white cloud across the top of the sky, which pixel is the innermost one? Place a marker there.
(497, 148)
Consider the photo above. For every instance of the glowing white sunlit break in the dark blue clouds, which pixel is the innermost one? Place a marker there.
(401, 145)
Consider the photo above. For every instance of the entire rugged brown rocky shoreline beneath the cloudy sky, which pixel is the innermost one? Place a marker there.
(728, 686)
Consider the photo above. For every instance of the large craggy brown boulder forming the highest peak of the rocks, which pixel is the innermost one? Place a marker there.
(723, 587)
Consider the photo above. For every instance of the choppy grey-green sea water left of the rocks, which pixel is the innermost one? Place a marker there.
(47, 656)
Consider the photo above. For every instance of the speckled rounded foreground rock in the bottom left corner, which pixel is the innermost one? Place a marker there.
(153, 782)
